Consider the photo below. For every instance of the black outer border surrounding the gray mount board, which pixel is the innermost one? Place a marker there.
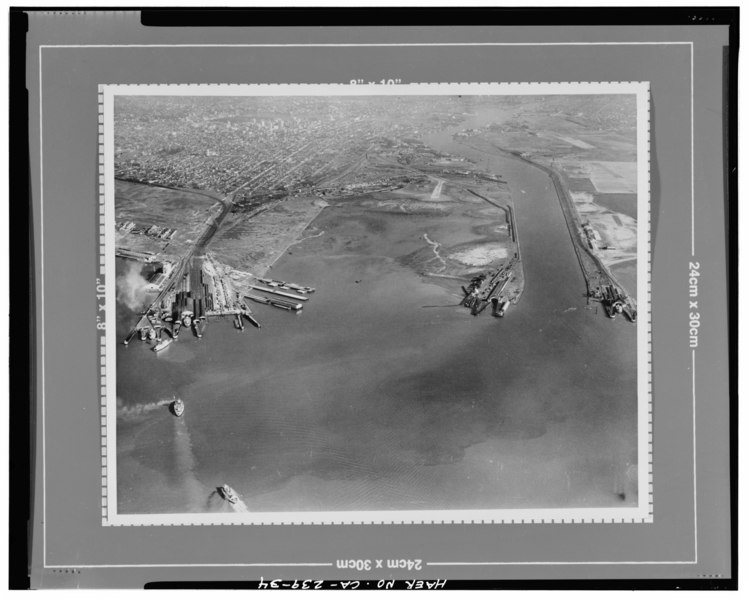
(22, 329)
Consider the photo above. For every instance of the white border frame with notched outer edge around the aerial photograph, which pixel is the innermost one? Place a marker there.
(639, 514)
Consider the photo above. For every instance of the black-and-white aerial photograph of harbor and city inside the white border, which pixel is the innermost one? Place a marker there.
(375, 302)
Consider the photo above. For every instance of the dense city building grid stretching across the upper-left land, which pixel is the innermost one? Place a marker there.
(257, 144)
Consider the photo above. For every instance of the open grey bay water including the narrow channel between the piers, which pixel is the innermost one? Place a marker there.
(367, 400)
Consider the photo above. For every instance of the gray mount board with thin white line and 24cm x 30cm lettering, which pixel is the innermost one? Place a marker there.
(71, 55)
